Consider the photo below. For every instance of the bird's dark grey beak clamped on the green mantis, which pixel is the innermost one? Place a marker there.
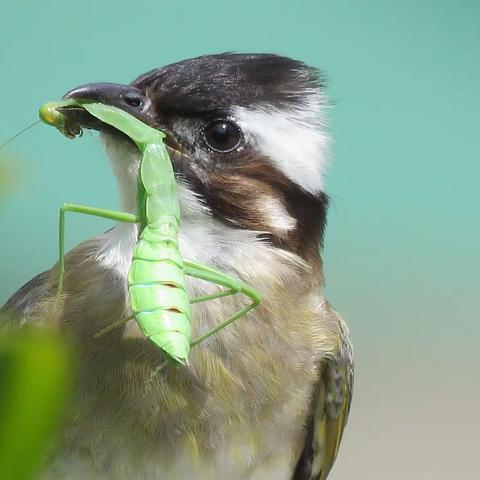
(125, 97)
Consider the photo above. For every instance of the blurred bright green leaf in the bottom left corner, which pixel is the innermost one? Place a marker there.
(35, 385)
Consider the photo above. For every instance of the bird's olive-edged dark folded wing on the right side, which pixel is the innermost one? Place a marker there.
(329, 409)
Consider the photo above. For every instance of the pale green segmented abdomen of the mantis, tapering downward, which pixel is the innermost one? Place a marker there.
(156, 284)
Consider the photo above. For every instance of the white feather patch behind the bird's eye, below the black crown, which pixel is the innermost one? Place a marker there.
(293, 139)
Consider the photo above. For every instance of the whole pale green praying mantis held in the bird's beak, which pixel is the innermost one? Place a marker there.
(156, 279)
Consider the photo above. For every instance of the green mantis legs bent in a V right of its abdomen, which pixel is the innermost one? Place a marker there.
(232, 284)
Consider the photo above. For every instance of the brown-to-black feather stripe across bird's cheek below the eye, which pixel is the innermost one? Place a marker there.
(234, 194)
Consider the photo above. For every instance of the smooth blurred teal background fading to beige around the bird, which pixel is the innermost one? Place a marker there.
(402, 261)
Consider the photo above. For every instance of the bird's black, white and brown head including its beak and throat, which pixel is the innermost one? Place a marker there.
(246, 137)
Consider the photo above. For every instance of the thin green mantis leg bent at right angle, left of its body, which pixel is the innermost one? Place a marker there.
(96, 212)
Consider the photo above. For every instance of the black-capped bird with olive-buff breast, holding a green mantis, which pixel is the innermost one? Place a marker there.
(267, 397)
